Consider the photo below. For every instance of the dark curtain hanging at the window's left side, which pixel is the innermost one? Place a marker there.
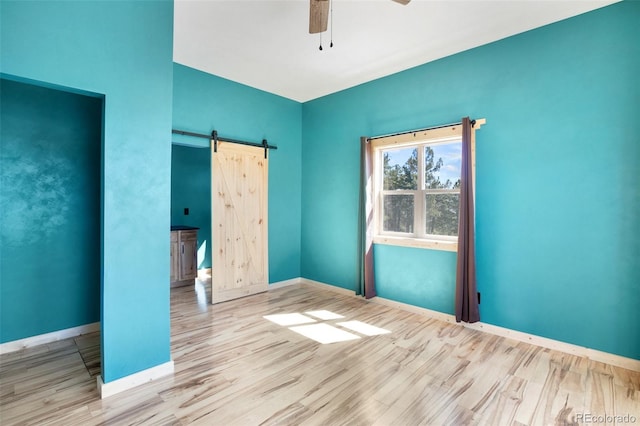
(367, 280)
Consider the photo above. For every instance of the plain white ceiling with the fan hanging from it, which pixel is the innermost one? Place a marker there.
(266, 44)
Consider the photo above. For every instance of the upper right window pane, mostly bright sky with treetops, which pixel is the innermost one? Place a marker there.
(442, 165)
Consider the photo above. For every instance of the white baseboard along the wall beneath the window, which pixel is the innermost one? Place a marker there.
(596, 355)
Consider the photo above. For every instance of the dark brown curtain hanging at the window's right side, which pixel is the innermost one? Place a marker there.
(466, 290)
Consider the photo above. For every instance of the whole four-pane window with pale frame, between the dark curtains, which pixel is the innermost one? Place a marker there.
(417, 188)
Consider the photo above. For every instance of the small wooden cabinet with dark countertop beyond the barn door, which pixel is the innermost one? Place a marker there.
(184, 256)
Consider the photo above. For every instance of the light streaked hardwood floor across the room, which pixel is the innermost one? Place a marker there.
(233, 367)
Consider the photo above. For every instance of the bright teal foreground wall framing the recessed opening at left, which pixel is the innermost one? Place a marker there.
(123, 51)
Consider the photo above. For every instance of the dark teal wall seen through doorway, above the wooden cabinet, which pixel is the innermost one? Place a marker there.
(191, 188)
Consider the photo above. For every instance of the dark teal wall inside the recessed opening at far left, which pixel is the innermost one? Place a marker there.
(50, 209)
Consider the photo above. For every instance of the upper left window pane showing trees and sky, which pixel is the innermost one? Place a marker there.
(400, 168)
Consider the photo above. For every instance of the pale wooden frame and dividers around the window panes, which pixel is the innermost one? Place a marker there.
(420, 140)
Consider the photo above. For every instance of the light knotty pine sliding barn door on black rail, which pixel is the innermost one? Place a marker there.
(239, 175)
